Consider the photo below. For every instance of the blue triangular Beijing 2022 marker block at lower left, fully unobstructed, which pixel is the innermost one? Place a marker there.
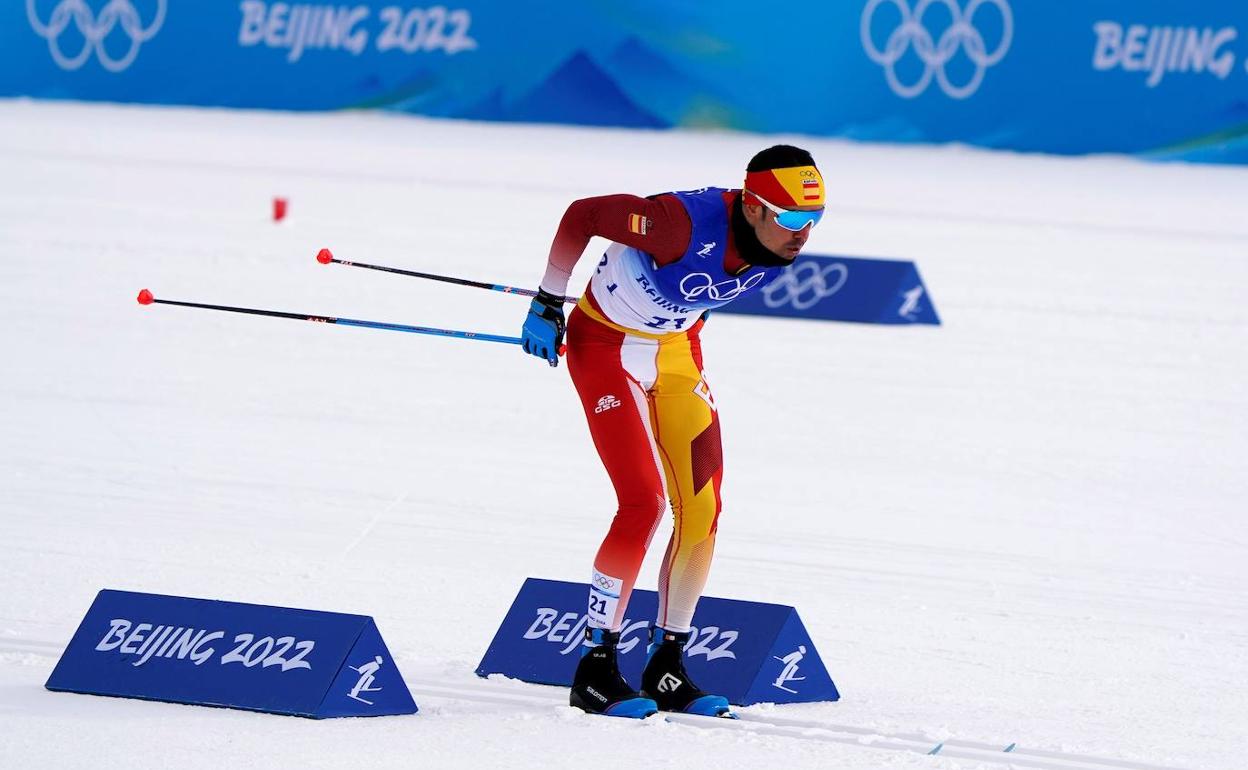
(227, 655)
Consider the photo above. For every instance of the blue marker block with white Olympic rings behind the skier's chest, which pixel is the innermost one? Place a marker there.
(844, 289)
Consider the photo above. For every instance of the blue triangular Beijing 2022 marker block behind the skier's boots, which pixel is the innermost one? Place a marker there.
(748, 652)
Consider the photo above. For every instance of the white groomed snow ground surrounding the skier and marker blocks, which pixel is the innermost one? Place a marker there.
(1025, 526)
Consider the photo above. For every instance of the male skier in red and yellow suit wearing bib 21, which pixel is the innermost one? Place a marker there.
(636, 359)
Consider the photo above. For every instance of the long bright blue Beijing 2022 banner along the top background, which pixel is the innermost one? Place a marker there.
(1160, 78)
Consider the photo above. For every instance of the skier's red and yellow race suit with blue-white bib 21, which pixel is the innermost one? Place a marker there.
(635, 355)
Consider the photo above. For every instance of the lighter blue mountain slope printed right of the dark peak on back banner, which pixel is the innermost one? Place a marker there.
(666, 90)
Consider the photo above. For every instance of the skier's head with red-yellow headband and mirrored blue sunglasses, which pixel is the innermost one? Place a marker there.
(783, 198)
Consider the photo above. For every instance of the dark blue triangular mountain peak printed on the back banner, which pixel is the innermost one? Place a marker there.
(581, 93)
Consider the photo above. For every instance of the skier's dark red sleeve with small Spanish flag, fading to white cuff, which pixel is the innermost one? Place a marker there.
(658, 227)
